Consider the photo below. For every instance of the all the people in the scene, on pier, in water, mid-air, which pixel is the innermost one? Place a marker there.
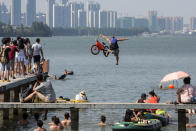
(16, 61)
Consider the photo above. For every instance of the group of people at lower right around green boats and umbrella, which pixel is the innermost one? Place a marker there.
(186, 95)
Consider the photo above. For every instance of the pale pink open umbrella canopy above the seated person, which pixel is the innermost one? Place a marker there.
(174, 76)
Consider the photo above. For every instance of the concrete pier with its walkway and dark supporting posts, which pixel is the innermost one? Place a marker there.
(9, 104)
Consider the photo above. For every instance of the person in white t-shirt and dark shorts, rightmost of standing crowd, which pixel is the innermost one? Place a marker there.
(37, 50)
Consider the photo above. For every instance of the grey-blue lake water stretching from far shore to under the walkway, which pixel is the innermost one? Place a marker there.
(143, 63)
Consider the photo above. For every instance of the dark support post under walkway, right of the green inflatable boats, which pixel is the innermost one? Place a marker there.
(181, 120)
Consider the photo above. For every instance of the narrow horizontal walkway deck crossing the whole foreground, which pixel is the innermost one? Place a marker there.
(5, 105)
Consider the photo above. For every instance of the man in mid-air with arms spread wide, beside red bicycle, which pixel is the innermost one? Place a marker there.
(113, 42)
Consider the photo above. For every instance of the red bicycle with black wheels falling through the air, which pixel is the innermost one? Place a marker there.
(96, 48)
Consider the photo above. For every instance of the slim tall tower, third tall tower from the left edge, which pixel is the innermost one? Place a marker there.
(49, 13)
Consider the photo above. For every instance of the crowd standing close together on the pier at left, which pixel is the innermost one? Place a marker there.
(16, 57)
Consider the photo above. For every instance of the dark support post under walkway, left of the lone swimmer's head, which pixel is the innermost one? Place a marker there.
(74, 119)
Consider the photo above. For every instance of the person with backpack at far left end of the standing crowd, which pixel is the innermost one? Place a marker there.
(4, 59)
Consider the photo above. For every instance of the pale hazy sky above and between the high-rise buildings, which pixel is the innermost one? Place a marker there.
(139, 8)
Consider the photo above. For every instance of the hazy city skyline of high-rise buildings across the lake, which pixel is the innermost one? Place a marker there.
(77, 14)
